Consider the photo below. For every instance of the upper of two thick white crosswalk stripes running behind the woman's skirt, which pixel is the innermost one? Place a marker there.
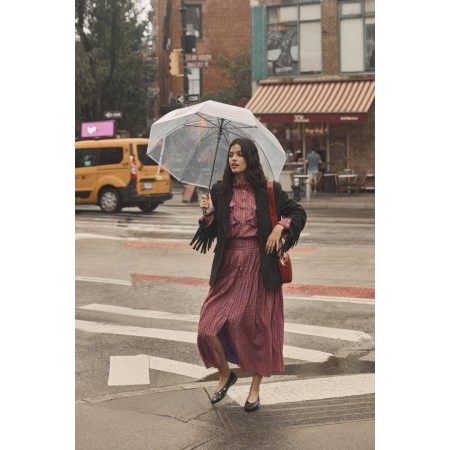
(310, 330)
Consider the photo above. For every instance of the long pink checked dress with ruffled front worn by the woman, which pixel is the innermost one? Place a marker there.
(247, 317)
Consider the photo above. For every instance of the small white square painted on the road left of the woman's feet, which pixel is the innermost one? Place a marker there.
(128, 370)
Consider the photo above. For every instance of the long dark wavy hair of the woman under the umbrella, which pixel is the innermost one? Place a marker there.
(254, 173)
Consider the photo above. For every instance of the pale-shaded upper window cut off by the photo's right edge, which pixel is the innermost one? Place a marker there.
(357, 35)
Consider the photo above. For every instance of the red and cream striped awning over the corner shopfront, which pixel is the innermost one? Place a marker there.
(327, 101)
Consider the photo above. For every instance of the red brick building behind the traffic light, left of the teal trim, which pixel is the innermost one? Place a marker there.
(221, 28)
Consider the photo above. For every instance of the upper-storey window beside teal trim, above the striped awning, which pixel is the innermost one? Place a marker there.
(294, 41)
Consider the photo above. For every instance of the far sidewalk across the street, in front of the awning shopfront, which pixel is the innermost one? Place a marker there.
(318, 200)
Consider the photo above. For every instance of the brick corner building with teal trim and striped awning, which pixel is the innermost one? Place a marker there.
(313, 72)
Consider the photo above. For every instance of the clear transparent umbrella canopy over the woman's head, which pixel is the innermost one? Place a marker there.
(192, 143)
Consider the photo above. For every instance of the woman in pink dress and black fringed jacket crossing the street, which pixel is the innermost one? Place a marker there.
(242, 318)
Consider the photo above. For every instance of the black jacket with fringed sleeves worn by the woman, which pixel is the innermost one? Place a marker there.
(286, 207)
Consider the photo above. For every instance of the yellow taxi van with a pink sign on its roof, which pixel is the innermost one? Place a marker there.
(116, 173)
